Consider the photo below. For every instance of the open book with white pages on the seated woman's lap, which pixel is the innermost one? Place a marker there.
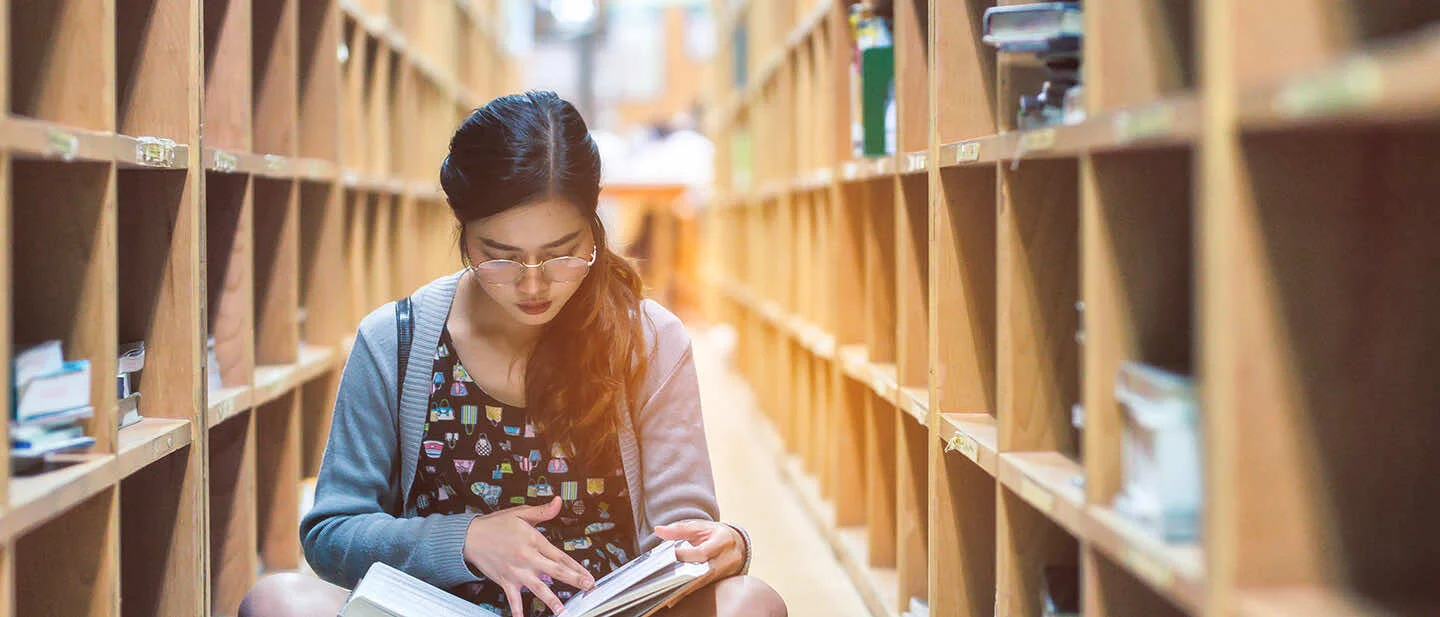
(652, 582)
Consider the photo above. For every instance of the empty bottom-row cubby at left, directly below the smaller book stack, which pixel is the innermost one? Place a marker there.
(161, 538)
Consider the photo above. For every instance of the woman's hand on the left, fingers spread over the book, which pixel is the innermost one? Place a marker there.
(508, 550)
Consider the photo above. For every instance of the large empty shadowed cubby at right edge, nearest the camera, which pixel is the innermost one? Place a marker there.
(1334, 239)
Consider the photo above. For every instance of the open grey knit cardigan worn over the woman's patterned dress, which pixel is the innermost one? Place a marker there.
(361, 514)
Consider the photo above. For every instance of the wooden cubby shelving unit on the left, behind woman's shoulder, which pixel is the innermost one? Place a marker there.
(184, 169)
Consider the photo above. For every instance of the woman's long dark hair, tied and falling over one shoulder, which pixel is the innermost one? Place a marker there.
(587, 365)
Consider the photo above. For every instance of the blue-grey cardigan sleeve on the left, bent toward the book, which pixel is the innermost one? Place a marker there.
(355, 520)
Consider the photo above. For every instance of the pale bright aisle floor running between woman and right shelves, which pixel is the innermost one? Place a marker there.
(790, 551)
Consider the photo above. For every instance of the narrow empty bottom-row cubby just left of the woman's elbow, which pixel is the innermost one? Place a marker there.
(279, 465)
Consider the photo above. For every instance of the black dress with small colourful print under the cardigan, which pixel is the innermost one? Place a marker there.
(483, 456)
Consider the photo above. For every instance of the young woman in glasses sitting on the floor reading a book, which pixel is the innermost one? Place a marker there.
(546, 426)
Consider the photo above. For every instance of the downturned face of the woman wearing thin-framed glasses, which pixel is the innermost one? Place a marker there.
(531, 234)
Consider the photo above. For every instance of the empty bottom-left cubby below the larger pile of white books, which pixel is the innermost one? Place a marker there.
(67, 566)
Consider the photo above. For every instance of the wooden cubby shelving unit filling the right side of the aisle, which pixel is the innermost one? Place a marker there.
(909, 322)
